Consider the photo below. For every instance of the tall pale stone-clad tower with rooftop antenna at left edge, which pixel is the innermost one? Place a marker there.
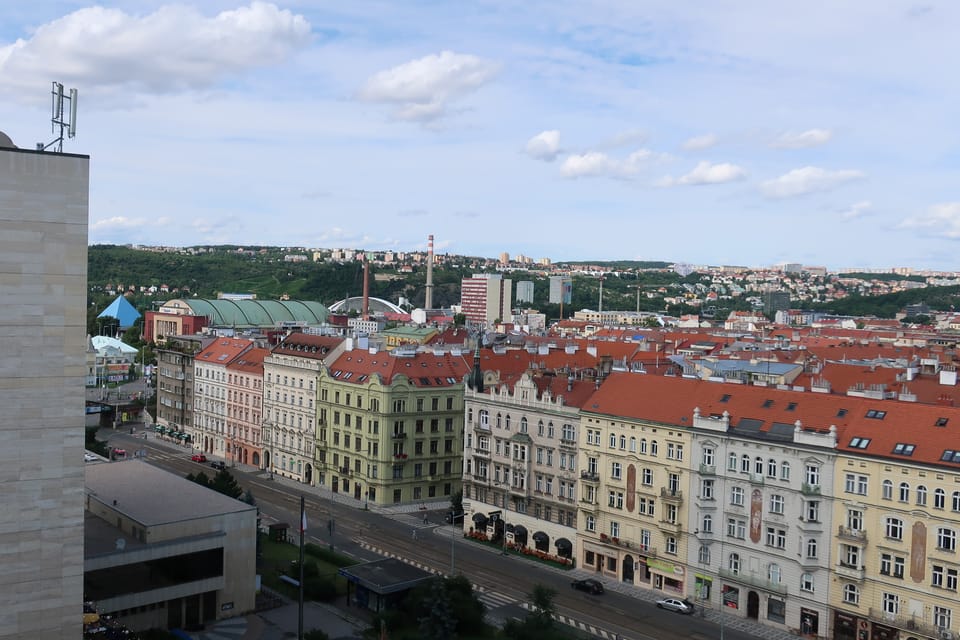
(43, 265)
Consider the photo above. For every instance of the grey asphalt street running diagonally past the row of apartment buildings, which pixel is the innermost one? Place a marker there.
(504, 581)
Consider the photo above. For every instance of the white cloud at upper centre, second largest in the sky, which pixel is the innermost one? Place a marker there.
(423, 88)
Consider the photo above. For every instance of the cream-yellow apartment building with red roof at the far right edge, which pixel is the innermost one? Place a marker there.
(895, 550)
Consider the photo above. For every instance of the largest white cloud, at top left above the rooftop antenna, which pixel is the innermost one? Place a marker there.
(173, 49)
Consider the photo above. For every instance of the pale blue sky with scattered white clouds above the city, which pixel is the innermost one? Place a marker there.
(711, 132)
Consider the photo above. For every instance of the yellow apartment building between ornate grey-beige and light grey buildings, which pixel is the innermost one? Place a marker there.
(634, 470)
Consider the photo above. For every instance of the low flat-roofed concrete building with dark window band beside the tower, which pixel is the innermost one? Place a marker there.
(161, 551)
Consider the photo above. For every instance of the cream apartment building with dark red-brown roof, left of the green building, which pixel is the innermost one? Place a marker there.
(291, 379)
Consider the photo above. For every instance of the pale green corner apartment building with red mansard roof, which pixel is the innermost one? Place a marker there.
(390, 425)
